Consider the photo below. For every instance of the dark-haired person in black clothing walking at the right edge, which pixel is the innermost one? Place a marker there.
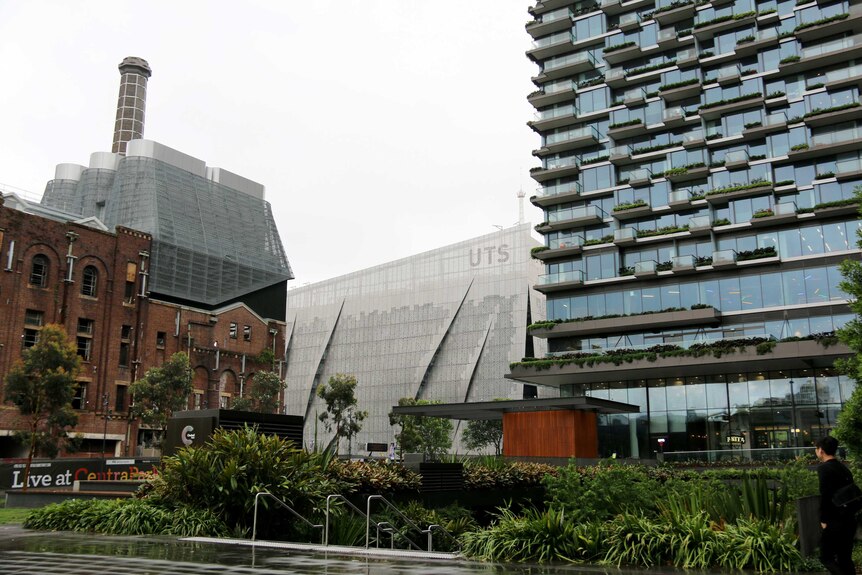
(839, 528)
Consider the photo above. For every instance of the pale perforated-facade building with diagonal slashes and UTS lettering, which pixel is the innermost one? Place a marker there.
(442, 325)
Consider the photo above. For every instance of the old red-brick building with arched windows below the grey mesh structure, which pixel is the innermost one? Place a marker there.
(95, 283)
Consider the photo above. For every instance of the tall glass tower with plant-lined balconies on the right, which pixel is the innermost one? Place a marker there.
(697, 168)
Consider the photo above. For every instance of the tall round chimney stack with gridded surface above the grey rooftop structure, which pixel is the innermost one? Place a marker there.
(132, 102)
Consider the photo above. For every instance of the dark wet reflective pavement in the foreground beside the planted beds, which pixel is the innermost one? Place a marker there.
(34, 552)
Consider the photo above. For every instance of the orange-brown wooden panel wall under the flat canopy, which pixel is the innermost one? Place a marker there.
(558, 433)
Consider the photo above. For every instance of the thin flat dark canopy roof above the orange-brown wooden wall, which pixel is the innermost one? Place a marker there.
(496, 409)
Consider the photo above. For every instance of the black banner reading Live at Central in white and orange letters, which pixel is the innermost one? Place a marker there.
(62, 473)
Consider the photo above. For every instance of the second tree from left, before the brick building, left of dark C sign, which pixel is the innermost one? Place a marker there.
(162, 391)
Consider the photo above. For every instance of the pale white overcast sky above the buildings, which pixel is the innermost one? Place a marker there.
(380, 129)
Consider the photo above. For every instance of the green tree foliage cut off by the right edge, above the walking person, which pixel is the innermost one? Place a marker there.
(848, 429)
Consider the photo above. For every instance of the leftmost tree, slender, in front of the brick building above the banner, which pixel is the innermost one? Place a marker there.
(41, 385)
